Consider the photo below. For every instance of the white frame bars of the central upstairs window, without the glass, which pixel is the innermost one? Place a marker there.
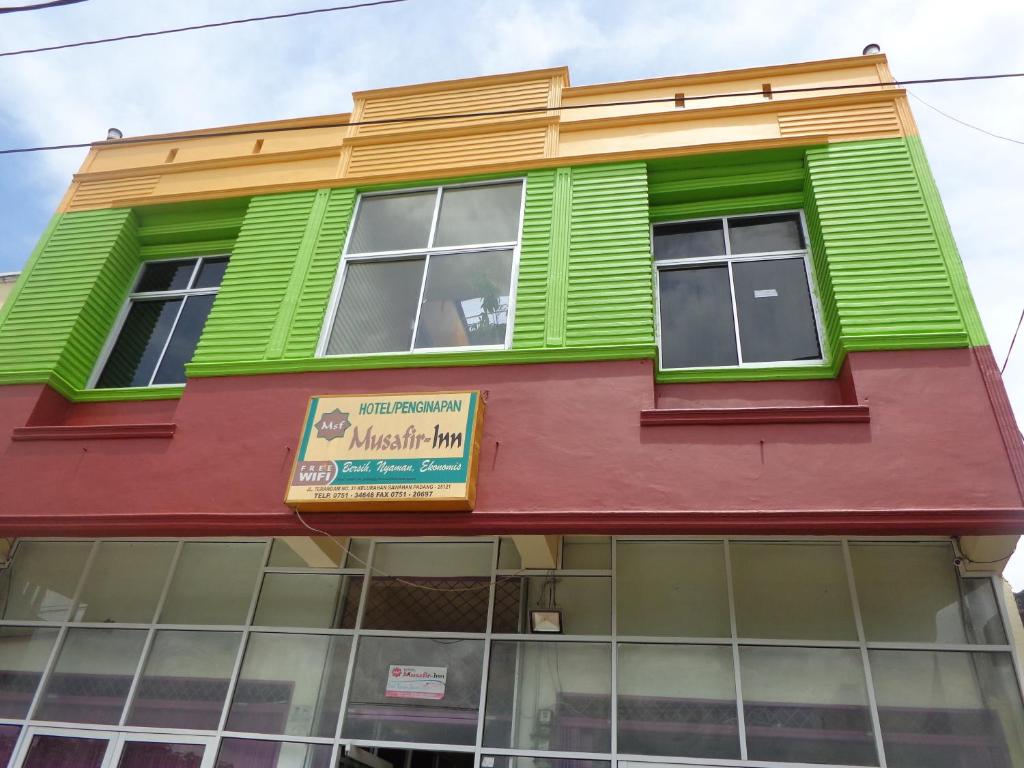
(425, 253)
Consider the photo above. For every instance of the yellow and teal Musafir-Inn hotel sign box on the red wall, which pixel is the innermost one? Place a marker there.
(389, 452)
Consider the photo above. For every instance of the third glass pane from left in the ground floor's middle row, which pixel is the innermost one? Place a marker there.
(185, 681)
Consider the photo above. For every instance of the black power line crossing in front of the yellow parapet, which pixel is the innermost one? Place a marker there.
(500, 113)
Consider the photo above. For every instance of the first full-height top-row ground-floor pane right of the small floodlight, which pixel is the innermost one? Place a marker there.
(672, 588)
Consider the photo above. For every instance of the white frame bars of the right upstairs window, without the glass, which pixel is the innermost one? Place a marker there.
(729, 260)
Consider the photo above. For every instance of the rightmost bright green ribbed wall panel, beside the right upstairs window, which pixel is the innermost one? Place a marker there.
(888, 272)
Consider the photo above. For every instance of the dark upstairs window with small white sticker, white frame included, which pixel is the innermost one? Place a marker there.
(736, 291)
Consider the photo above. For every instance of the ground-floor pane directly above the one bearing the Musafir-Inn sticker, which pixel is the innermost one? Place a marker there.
(430, 587)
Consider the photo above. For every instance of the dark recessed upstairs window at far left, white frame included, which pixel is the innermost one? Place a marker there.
(161, 323)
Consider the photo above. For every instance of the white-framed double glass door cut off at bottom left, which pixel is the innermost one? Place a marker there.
(63, 748)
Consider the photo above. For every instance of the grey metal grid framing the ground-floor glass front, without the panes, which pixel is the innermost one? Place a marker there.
(214, 739)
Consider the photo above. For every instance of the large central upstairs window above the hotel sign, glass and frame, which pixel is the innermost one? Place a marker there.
(428, 271)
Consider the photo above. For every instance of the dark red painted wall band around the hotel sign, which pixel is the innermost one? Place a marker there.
(564, 451)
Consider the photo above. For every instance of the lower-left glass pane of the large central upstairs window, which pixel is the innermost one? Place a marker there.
(377, 309)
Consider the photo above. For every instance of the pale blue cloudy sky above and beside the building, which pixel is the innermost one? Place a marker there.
(311, 66)
